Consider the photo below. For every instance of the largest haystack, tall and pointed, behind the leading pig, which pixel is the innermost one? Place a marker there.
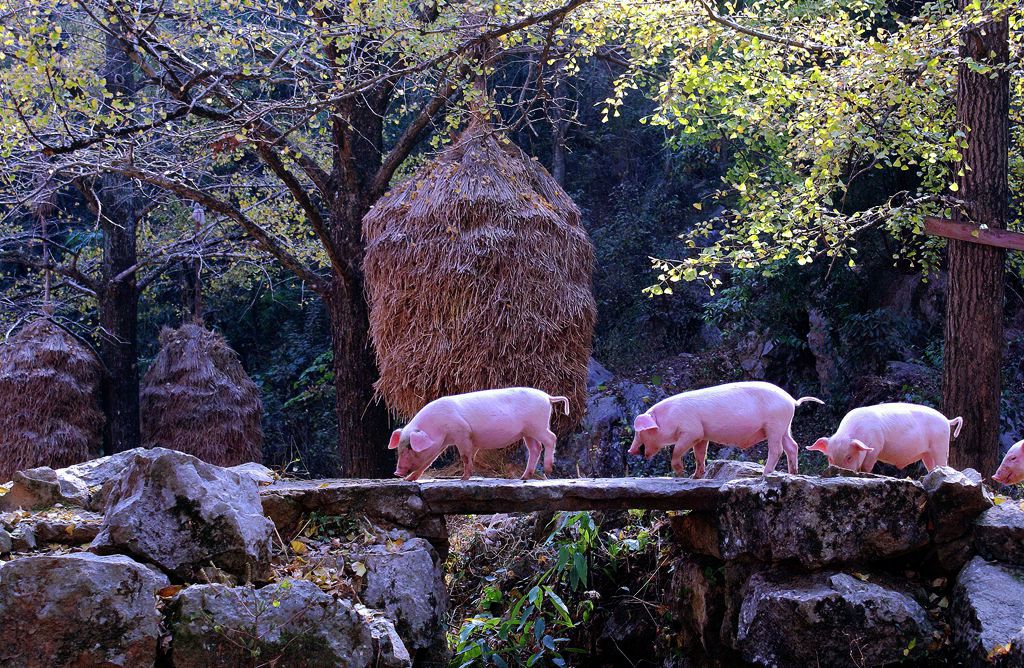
(479, 275)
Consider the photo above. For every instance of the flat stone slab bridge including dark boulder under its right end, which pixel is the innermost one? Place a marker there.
(734, 513)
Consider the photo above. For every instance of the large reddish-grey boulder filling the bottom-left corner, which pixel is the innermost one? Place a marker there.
(79, 610)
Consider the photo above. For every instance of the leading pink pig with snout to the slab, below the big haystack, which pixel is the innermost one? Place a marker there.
(486, 421)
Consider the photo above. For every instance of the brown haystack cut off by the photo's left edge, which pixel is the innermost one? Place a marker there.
(50, 403)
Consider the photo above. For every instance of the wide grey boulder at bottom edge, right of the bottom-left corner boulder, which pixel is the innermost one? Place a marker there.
(290, 623)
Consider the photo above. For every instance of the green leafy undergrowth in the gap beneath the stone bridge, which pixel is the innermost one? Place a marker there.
(537, 593)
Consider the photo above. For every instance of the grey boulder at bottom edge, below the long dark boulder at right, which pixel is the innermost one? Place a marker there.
(829, 619)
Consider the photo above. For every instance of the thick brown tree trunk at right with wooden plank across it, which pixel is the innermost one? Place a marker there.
(973, 359)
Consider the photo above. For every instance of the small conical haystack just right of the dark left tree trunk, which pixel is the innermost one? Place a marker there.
(197, 399)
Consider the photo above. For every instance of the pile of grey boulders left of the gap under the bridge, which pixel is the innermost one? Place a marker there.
(183, 571)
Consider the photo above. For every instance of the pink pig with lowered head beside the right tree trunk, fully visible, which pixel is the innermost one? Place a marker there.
(894, 434)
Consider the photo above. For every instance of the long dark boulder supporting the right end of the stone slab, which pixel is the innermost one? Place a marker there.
(812, 521)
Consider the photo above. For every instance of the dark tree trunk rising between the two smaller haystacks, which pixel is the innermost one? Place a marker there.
(118, 301)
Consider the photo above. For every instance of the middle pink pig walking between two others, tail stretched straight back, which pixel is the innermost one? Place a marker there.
(735, 414)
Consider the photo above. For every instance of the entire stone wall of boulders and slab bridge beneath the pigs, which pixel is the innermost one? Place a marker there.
(154, 557)
